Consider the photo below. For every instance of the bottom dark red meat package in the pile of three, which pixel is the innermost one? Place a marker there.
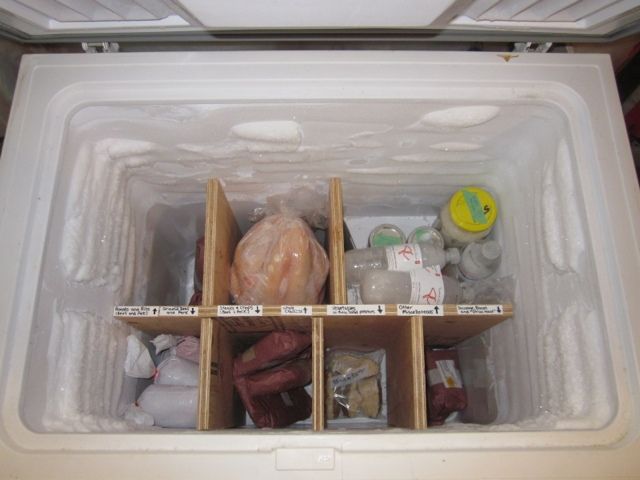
(276, 410)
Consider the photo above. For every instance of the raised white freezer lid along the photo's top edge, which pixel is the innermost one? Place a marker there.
(558, 20)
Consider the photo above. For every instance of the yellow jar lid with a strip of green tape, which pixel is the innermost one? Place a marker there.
(473, 209)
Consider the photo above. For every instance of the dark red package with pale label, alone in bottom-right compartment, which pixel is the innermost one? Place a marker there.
(445, 393)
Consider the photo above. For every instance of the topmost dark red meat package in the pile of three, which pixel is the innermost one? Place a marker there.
(274, 349)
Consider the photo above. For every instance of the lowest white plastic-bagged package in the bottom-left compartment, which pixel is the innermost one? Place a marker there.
(170, 406)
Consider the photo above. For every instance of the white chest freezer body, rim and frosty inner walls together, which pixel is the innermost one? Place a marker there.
(104, 172)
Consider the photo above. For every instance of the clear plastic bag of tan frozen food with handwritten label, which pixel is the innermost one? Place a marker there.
(353, 384)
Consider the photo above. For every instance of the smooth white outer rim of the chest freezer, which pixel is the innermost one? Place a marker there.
(52, 88)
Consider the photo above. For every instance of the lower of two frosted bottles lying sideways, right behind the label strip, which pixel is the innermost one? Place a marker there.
(426, 286)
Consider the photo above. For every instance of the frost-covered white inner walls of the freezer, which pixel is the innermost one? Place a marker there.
(129, 205)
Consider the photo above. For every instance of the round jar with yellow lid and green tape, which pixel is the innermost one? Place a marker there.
(467, 217)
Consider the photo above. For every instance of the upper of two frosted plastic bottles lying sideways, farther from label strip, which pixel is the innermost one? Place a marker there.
(396, 257)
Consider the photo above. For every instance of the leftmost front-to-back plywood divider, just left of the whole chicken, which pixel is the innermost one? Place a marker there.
(215, 399)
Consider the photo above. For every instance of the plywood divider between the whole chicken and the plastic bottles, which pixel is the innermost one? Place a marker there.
(337, 277)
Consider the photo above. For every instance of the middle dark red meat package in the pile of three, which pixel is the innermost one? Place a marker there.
(295, 373)
